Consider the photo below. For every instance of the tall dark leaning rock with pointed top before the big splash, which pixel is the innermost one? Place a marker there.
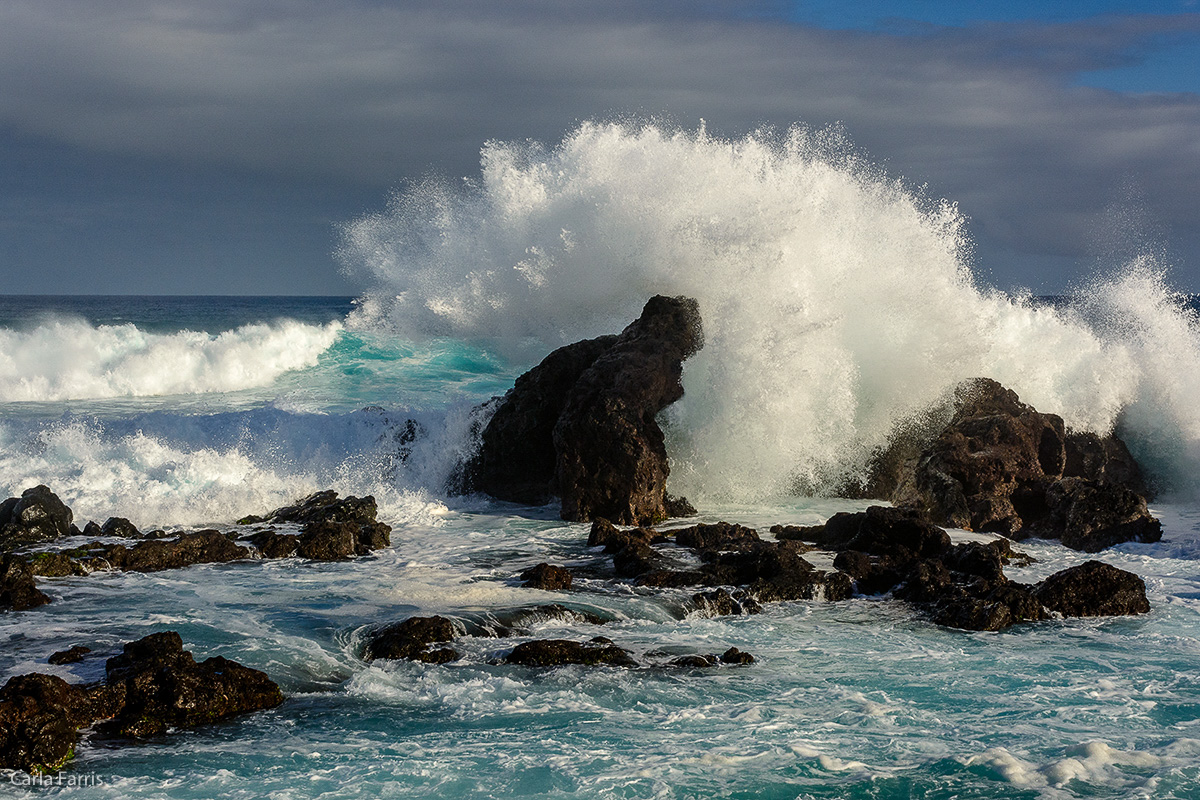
(581, 425)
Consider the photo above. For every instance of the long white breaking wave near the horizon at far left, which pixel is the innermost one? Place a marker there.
(71, 359)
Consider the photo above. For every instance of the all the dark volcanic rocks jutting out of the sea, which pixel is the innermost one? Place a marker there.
(581, 426)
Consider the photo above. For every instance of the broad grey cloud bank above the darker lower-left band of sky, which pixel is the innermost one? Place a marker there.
(371, 93)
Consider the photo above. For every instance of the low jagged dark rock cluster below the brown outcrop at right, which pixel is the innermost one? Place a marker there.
(879, 551)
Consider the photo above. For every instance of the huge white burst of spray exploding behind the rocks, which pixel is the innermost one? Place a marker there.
(837, 302)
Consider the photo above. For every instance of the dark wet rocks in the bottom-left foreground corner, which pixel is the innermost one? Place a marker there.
(154, 685)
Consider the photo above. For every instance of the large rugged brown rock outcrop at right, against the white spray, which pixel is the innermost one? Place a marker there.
(1000, 466)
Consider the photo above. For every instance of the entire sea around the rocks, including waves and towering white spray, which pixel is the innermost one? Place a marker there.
(838, 305)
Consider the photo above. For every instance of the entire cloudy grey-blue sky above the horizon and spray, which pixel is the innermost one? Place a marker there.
(215, 147)
